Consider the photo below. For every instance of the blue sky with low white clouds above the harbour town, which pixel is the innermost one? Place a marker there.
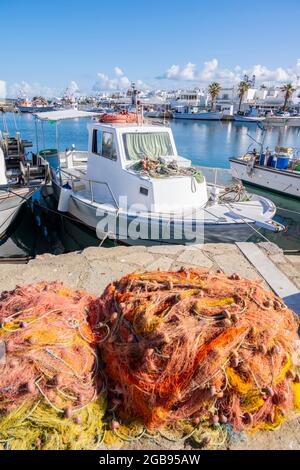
(98, 45)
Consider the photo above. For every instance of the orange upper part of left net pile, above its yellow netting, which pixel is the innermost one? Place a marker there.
(49, 349)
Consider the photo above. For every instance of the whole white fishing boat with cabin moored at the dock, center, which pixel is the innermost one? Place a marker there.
(132, 186)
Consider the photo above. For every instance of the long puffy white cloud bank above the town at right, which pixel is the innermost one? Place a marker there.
(212, 71)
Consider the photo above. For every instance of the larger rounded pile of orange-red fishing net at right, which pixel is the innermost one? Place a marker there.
(197, 352)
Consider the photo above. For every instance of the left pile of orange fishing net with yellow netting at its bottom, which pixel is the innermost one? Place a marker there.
(50, 384)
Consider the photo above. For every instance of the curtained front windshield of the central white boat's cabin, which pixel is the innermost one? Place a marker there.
(139, 145)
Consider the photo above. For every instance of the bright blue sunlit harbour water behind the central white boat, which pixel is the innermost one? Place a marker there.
(208, 143)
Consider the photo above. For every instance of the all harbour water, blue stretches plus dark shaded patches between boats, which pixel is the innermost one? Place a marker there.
(205, 143)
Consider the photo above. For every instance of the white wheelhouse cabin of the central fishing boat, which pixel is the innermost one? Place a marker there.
(116, 153)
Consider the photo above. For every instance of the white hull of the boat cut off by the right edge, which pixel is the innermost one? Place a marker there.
(281, 181)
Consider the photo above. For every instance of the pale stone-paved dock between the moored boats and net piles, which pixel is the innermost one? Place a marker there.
(93, 268)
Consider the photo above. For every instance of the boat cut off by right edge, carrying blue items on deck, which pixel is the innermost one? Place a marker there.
(277, 171)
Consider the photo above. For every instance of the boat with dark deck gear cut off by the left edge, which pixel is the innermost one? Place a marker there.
(20, 176)
